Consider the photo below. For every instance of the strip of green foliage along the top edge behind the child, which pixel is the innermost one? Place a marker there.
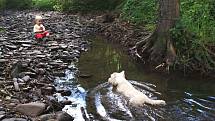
(61, 5)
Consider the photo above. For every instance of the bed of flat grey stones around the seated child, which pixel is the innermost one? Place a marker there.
(28, 67)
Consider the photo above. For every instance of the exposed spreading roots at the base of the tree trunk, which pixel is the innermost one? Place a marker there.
(160, 52)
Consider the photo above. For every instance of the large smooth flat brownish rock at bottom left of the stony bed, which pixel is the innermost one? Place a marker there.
(31, 109)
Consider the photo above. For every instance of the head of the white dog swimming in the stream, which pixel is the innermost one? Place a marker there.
(117, 78)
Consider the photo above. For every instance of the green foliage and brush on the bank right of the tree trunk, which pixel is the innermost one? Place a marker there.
(194, 35)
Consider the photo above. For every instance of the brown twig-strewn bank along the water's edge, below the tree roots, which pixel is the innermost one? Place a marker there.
(126, 34)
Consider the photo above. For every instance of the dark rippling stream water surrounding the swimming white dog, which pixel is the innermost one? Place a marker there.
(187, 98)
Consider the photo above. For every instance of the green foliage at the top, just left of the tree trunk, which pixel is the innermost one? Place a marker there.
(140, 12)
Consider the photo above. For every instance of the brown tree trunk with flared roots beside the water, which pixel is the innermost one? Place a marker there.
(158, 46)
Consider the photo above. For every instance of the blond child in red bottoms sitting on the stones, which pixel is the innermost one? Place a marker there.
(39, 30)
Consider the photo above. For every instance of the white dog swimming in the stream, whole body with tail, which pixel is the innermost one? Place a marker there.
(124, 87)
